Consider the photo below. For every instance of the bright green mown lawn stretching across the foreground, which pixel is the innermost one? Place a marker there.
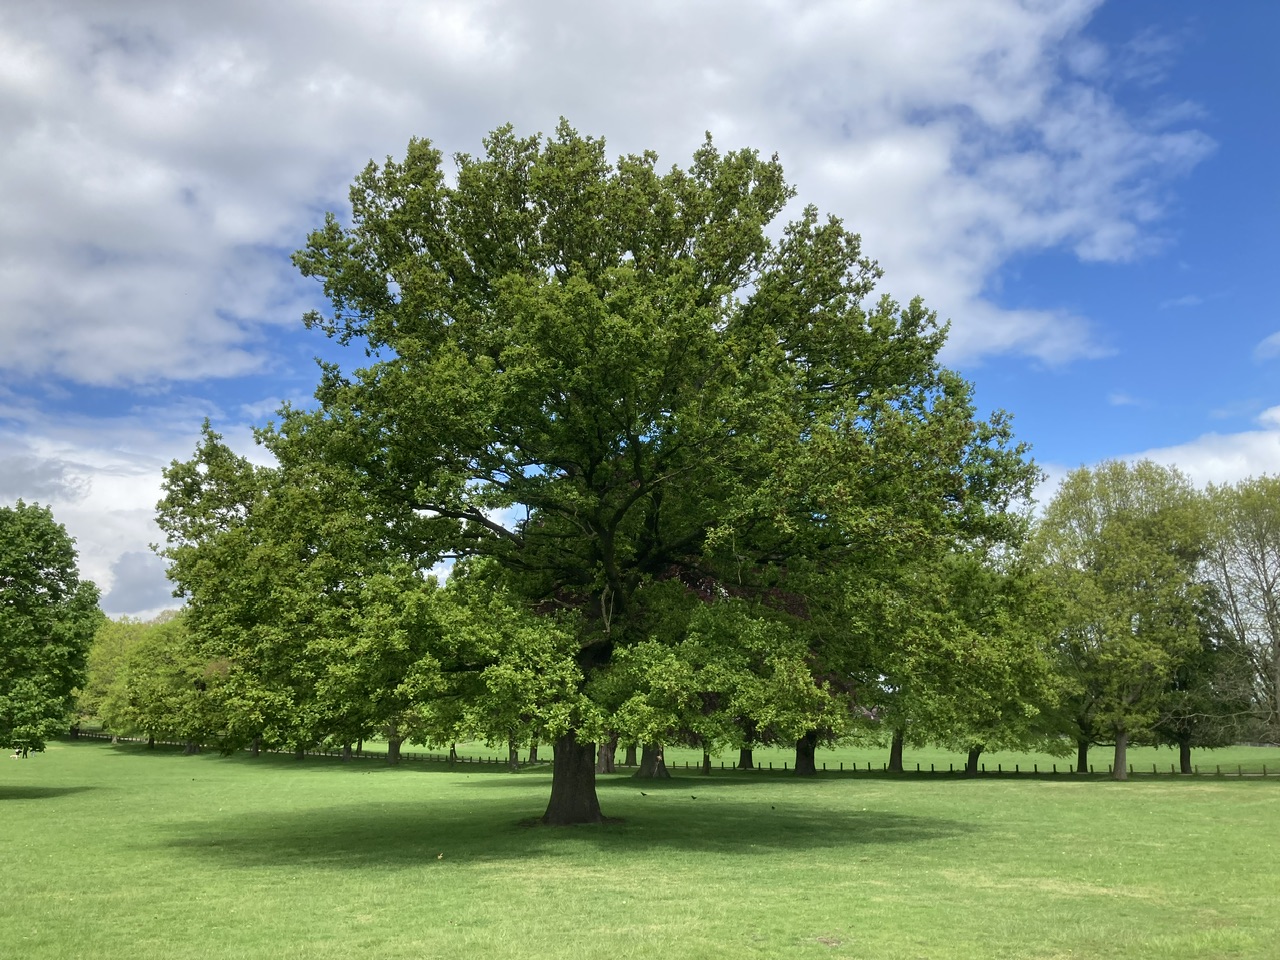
(118, 852)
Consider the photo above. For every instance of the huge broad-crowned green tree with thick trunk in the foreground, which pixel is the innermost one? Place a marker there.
(641, 419)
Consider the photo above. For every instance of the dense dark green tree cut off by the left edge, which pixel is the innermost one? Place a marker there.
(48, 618)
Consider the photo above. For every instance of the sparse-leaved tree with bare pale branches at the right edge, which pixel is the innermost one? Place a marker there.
(1245, 566)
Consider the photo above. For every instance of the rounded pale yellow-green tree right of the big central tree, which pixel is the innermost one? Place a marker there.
(1123, 543)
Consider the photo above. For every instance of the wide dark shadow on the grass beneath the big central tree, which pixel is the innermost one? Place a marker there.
(403, 835)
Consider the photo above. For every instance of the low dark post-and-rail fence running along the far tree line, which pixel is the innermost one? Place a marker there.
(764, 767)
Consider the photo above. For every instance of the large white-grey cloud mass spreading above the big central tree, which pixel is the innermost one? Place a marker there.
(162, 159)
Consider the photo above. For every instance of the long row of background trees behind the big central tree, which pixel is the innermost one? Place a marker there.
(1137, 610)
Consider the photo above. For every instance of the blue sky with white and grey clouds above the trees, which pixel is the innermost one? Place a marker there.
(1086, 190)
